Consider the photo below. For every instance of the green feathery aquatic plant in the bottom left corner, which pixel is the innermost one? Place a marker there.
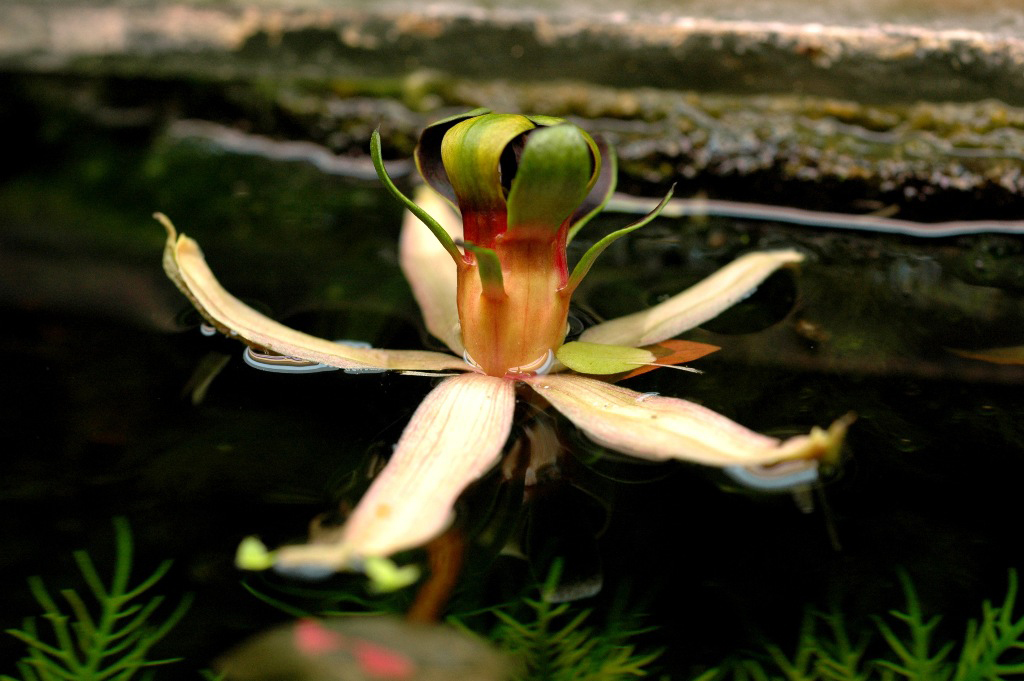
(107, 642)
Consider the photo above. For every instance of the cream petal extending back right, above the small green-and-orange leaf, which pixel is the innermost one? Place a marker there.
(701, 303)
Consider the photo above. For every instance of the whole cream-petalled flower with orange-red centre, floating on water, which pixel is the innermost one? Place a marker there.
(495, 287)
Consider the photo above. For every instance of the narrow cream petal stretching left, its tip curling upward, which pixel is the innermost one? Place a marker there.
(186, 266)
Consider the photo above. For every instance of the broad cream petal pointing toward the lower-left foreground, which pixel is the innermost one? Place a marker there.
(455, 437)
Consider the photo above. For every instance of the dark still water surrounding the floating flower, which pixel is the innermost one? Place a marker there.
(101, 350)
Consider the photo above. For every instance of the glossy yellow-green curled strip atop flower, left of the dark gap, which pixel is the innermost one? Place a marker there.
(473, 151)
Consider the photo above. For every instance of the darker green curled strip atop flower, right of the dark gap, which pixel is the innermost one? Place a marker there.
(553, 178)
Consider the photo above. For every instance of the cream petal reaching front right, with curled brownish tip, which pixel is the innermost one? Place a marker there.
(662, 429)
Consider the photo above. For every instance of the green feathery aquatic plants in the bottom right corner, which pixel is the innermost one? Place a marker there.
(993, 649)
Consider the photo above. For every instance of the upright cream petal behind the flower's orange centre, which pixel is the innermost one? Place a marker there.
(430, 269)
